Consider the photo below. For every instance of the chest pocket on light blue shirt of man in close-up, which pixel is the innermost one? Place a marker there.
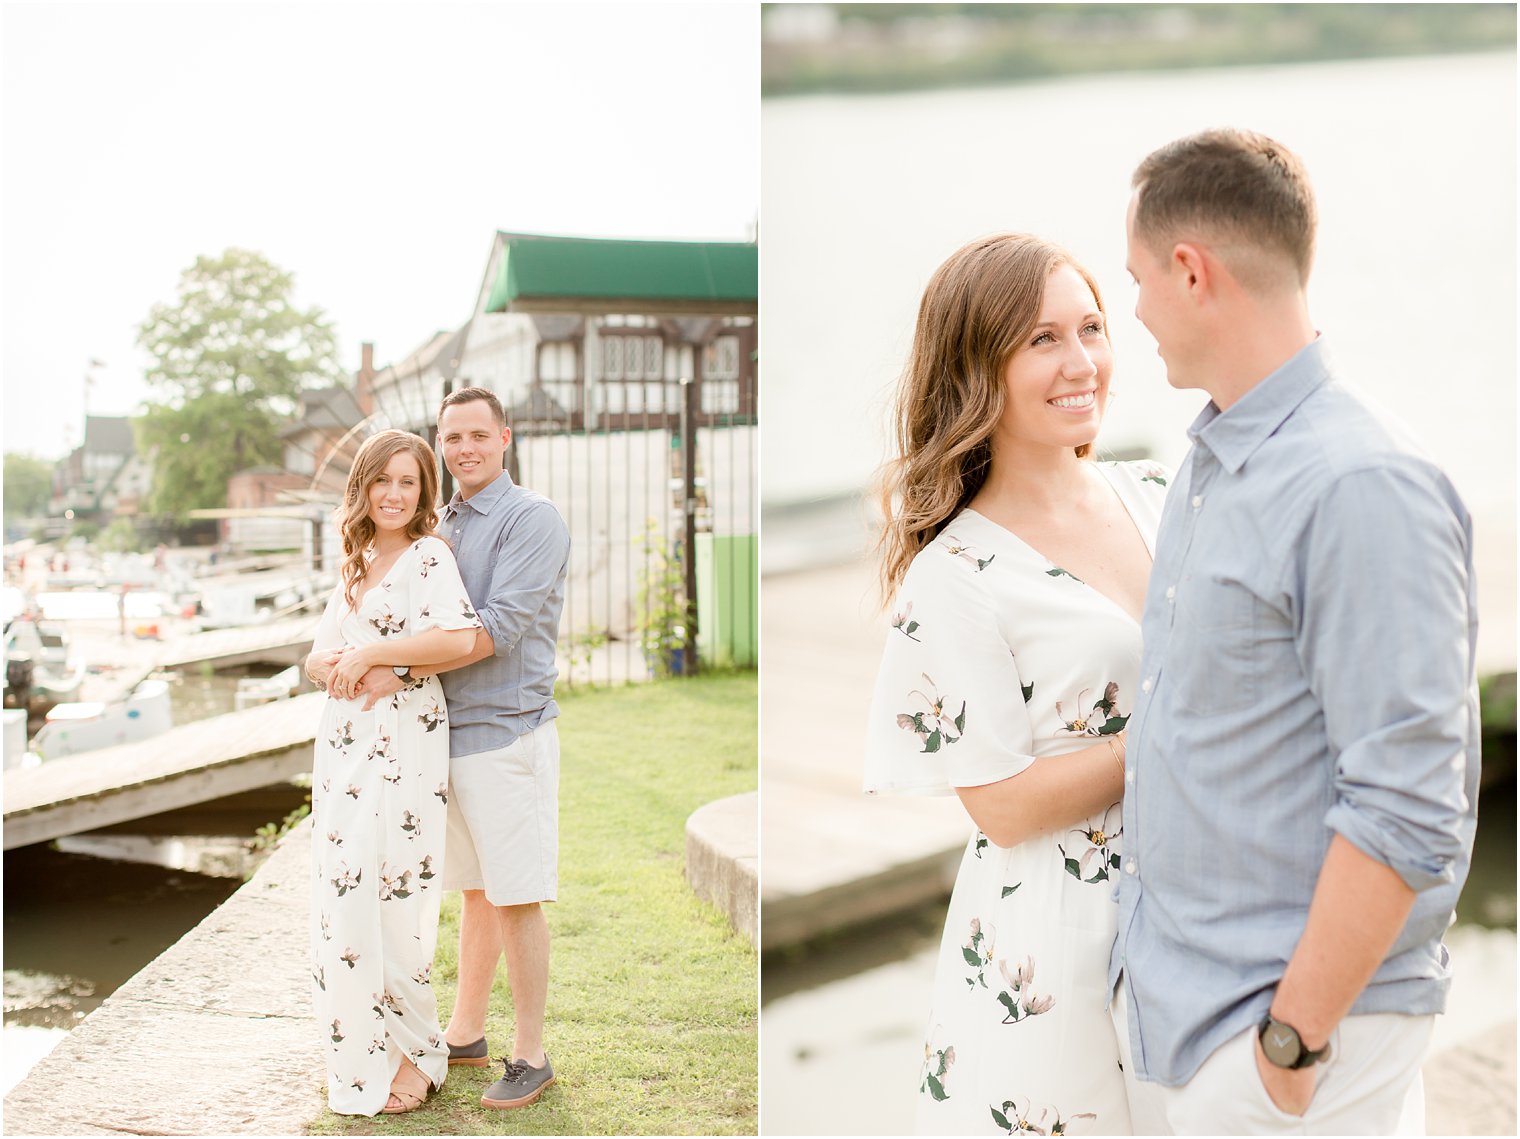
(1217, 655)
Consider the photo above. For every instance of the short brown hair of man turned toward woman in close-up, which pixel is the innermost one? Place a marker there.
(1240, 191)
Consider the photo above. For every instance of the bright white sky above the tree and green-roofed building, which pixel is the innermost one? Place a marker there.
(373, 150)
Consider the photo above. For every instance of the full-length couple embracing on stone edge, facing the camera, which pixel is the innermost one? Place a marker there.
(437, 764)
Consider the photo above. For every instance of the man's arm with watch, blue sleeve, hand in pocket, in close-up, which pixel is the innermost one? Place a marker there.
(1384, 639)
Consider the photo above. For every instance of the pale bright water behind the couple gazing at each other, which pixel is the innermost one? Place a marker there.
(1414, 168)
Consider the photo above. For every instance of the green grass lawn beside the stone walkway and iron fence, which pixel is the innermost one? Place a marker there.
(653, 998)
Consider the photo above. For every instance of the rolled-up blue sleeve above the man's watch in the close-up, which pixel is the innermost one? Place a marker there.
(1385, 638)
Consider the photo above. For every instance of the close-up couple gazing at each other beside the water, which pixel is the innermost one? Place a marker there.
(1217, 728)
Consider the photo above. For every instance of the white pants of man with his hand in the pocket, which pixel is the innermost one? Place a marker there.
(1369, 1087)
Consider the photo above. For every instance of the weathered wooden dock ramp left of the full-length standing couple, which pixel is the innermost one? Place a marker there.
(186, 766)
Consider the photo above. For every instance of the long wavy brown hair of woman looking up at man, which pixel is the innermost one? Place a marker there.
(978, 311)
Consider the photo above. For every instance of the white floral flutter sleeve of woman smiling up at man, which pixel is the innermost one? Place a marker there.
(949, 708)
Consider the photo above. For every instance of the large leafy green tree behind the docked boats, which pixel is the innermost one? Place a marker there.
(232, 357)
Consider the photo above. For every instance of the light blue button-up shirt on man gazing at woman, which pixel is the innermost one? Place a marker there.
(1308, 671)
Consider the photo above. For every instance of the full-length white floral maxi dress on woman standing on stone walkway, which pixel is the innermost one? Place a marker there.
(379, 798)
